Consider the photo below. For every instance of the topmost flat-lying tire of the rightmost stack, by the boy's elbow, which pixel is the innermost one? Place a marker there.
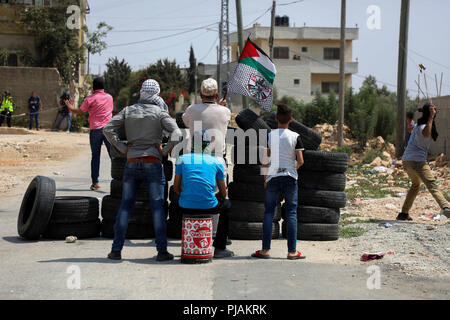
(325, 161)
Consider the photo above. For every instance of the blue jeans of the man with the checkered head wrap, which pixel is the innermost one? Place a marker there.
(134, 174)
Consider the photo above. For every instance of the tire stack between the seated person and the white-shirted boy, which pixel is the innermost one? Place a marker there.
(246, 191)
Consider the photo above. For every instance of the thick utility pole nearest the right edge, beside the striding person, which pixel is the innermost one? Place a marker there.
(401, 78)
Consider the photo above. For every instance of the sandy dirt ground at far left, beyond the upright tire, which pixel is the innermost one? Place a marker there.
(25, 154)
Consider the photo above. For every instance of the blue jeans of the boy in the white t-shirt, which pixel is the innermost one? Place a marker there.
(287, 186)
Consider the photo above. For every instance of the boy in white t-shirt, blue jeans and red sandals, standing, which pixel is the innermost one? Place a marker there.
(285, 152)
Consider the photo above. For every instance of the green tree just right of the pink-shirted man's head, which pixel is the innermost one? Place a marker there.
(116, 76)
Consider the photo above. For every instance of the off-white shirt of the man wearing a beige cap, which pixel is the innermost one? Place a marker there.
(208, 116)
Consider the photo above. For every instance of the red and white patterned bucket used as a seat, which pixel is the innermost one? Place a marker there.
(196, 241)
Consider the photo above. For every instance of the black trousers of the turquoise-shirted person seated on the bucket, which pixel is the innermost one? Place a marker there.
(220, 242)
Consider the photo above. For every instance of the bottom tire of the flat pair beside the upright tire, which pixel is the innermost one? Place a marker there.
(82, 230)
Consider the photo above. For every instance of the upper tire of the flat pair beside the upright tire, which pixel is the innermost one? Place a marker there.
(75, 209)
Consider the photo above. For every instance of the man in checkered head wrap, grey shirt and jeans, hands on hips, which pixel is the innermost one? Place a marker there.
(143, 123)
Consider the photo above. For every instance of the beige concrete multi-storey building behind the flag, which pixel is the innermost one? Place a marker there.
(306, 58)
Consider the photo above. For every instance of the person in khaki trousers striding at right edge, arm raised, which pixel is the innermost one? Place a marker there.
(415, 162)
